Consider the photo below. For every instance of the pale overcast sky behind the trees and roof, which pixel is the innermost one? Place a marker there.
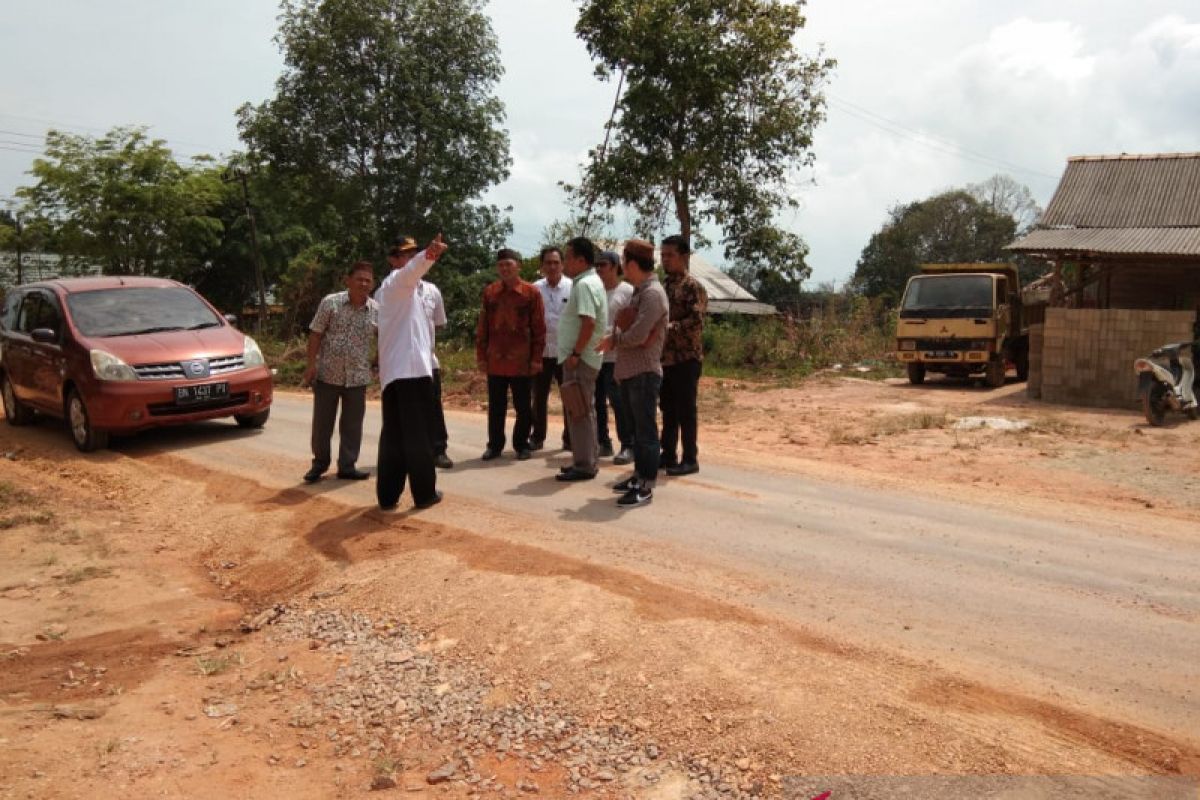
(928, 95)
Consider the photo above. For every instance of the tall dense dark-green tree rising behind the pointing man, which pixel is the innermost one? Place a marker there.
(385, 122)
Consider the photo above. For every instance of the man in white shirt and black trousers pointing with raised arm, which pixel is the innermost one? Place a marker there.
(406, 374)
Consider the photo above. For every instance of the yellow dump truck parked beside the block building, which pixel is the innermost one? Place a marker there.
(964, 321)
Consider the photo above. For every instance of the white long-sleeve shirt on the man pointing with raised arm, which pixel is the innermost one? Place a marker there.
(406, 344)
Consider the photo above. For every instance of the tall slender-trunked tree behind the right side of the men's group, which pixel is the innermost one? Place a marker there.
(718, 113)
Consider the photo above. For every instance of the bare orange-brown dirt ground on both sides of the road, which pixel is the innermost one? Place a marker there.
(158, 633)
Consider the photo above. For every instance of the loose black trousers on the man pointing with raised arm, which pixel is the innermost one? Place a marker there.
(406, 453)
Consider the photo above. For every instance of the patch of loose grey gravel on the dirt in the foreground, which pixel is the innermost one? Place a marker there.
(397, 684)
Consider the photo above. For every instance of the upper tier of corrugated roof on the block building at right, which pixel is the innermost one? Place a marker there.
(1154, 191)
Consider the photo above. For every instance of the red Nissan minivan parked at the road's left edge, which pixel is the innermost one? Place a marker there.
(125, 354)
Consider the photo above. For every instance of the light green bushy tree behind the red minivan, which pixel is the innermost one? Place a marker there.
(123, 202)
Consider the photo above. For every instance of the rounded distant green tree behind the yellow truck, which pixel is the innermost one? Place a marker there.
(952, 227)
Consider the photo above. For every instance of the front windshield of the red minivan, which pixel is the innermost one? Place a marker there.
(129, 311)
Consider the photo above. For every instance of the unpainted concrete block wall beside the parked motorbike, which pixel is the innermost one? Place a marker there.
(1088, 354)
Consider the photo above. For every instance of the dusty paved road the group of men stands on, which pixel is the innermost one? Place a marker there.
(1090, 612)
